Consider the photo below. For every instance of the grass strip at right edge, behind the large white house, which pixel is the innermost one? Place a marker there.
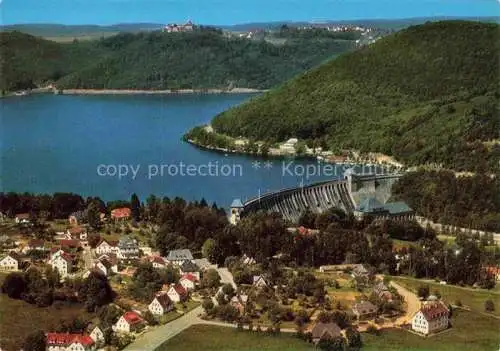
(473, 298)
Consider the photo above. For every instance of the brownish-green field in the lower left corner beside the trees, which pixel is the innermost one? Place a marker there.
(18, 319)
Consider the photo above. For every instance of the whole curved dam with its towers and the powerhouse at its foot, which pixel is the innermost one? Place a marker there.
(360, 194)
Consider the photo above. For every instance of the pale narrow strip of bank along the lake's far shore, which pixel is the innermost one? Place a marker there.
(156, 92)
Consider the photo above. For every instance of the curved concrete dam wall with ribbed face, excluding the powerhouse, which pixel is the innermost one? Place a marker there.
(345, 193)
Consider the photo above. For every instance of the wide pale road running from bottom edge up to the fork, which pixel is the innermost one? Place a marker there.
(150, 340)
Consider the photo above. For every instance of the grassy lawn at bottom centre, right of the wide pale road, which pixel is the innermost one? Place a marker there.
(214, 338)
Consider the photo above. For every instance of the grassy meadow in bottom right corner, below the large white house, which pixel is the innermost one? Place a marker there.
(470, 331)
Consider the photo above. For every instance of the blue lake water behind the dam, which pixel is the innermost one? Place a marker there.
(55, 143)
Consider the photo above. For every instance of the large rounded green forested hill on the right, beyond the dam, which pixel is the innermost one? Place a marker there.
(425, 94)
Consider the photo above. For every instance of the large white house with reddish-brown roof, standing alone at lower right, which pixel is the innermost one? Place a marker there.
(431, 318)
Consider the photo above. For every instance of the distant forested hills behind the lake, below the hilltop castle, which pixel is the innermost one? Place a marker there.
(205, 58)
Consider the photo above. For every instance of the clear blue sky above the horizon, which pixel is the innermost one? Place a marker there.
(226, 12)
